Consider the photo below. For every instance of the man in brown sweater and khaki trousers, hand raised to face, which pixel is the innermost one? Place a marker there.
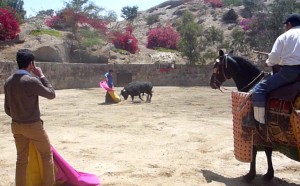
(22, 91)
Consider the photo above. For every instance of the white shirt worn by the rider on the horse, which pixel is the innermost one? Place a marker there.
(286, 49)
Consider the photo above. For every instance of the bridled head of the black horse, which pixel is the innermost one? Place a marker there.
(220, 75)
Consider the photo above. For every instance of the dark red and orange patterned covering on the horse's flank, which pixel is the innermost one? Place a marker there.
(283, 119)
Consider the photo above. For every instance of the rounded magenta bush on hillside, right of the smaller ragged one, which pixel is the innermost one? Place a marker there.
(165, 37)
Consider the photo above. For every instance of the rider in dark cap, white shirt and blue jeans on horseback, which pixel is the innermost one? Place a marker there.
(285, 53)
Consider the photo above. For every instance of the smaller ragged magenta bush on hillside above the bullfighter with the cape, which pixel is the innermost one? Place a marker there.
(125, 41)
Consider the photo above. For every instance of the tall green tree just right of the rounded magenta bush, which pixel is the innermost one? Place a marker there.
(190, 32)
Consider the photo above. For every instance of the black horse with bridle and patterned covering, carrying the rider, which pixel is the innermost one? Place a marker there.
(245, 76)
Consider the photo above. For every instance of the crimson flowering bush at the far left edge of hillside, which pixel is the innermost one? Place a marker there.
(9, 26)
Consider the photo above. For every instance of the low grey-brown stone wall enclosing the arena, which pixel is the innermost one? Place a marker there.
(69, 76)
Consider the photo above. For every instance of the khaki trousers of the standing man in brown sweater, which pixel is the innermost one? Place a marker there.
(34, 132)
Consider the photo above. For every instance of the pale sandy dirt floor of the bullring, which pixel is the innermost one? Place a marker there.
(183, 137)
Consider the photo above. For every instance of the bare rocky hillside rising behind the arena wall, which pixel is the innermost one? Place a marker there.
(54, 49)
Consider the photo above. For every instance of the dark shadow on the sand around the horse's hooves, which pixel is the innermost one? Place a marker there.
(258, 180)
